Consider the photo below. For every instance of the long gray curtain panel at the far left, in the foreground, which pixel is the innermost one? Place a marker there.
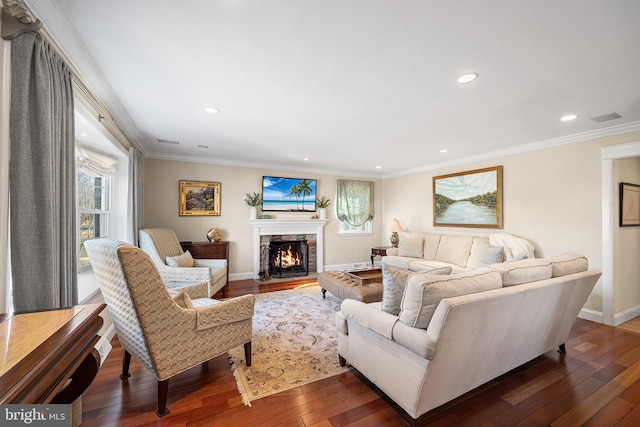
(42, 178)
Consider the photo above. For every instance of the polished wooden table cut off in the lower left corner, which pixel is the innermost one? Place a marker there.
(41, 351)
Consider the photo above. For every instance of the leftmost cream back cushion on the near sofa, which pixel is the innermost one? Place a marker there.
(424, 292)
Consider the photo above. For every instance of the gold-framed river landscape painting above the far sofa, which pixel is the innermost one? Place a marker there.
(468, 199)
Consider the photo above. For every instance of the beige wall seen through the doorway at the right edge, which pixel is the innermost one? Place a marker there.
(626, 242)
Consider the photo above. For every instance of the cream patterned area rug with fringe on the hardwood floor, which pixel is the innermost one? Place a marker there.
(295, 342)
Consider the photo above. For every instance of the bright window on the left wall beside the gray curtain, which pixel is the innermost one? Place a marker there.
(93, 210)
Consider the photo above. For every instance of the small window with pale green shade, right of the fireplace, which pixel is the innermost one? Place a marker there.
(354, 207)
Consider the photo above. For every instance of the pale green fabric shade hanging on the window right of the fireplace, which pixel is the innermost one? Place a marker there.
(354, 202)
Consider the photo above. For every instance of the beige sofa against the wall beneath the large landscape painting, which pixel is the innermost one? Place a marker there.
(425, 251)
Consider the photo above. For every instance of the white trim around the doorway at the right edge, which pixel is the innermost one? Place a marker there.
(608, 155)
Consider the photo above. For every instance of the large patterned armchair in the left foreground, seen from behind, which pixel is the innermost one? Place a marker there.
(166, 335)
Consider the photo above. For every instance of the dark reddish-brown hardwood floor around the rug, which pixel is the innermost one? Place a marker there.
(596, 384)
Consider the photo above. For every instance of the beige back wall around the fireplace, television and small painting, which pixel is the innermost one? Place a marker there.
(161, 179)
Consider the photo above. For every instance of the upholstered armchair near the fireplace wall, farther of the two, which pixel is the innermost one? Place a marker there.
(161, 243)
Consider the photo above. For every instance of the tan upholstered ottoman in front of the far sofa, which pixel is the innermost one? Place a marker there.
(345, 286)
